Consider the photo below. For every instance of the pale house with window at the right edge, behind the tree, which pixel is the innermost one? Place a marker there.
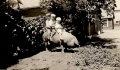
(108, 20)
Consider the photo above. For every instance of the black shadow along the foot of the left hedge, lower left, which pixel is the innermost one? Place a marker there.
(7, 60)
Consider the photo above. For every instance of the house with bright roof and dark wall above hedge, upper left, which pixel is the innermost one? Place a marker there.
(31, 8)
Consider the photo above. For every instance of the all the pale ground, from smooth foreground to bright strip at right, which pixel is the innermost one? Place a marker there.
(88, 57)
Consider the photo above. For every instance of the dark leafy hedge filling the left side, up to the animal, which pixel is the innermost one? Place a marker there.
(18, 38)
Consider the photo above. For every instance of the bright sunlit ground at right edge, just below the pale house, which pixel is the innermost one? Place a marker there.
(112, 34)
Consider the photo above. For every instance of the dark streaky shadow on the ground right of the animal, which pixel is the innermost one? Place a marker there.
(99, 42)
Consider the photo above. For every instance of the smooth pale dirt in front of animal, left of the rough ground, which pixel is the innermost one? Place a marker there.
(45, 61)
